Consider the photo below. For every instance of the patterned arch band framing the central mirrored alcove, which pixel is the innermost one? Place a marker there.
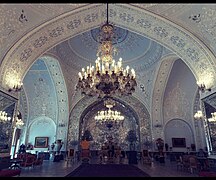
(139, 109)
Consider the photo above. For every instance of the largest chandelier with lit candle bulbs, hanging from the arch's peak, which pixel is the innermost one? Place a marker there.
(107, 77)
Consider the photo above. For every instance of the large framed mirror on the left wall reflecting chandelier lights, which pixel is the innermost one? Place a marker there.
(7, 110)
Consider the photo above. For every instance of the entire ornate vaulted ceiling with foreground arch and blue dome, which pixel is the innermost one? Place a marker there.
(147, 34)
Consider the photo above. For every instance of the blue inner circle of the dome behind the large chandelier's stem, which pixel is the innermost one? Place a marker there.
(129, 45)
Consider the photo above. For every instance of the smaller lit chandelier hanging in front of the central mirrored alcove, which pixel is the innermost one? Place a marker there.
(109, 119)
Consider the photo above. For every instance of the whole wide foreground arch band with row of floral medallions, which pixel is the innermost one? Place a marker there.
(184, 44)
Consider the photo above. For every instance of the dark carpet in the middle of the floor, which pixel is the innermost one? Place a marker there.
(107, 170)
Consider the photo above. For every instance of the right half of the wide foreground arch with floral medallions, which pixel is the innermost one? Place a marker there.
(193, 52)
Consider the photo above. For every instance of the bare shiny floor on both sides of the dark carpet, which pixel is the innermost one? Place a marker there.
(62, 168)
